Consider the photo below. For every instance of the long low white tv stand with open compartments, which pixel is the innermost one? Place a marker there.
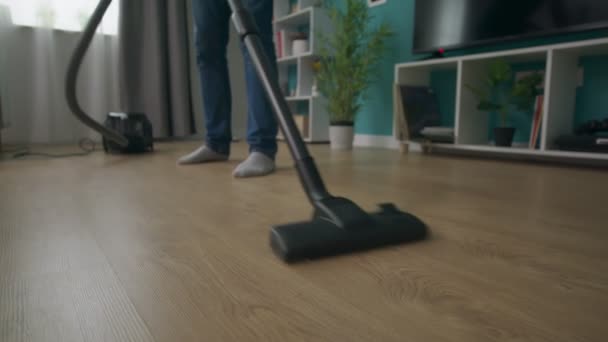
(471, 126)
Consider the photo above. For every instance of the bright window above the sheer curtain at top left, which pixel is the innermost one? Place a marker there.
(70, 15)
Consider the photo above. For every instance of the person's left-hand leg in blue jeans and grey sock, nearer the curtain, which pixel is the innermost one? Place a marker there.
(212, 19)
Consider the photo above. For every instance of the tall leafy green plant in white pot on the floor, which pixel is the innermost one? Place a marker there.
(348, 58)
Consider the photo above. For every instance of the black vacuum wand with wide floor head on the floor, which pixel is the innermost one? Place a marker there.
(338, 225)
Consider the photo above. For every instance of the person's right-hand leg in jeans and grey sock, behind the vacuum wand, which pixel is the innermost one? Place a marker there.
(262, 127)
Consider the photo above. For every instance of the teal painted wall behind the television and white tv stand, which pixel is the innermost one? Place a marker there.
(376, 117)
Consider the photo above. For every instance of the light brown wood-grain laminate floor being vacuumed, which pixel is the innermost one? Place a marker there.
(113, 248)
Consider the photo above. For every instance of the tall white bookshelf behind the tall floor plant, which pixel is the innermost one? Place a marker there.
(308, 108)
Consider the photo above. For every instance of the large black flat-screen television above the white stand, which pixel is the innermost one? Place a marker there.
(454, 24)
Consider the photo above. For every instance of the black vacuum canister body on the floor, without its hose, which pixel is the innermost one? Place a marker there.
(135, 127)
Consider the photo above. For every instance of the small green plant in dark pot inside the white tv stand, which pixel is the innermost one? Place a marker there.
(501, 95)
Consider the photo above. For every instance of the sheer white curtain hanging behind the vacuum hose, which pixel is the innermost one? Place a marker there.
(32, 84)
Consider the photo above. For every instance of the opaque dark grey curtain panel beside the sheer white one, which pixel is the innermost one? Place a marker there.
(154, 64)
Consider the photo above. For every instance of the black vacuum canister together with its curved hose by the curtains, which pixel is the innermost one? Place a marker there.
(121, 132)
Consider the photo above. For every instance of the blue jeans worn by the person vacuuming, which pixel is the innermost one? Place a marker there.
(212, 24)
